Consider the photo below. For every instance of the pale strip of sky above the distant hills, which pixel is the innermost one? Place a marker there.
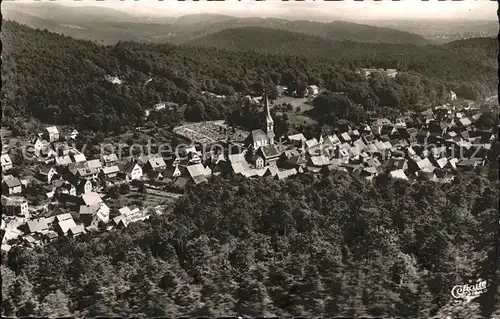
(348, 9)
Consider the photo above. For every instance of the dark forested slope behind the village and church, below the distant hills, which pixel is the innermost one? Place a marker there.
(60, 80)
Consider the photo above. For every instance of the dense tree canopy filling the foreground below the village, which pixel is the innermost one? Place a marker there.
(309, 246)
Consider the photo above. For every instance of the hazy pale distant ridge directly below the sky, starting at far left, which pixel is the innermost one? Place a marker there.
(110, 26)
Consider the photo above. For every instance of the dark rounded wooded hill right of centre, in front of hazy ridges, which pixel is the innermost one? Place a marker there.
(267, 40)
